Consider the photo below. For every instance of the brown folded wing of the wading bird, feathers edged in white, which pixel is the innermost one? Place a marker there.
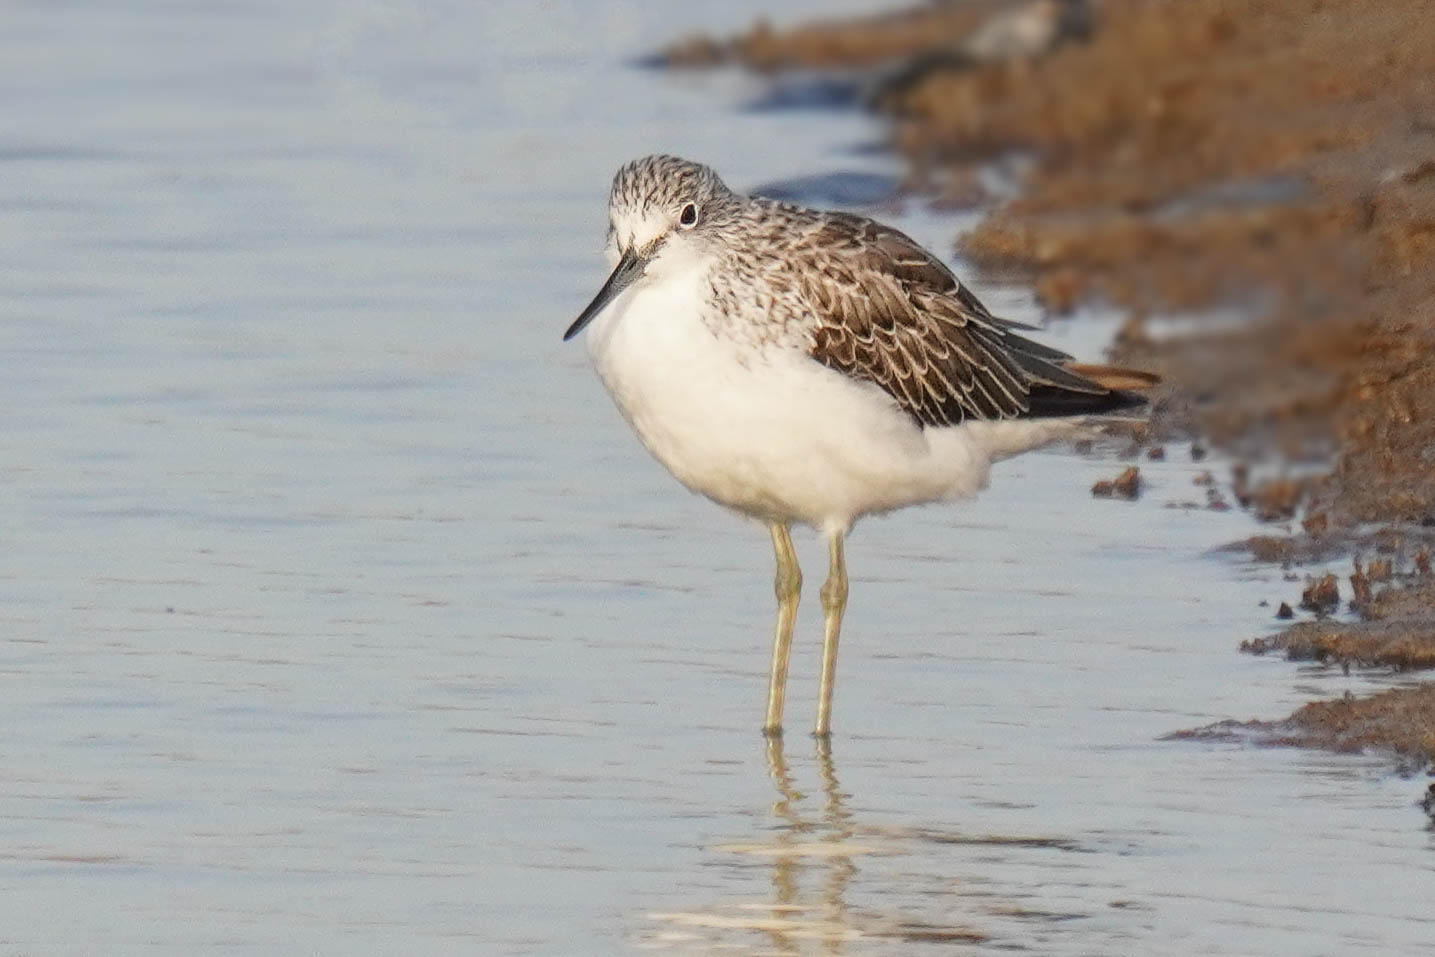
(895, 316)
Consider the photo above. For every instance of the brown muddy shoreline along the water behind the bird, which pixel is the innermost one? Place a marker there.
(1255, 184)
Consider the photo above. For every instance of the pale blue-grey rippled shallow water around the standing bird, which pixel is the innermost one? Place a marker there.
(342, 613)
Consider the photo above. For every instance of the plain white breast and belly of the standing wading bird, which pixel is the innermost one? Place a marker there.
(773, 434)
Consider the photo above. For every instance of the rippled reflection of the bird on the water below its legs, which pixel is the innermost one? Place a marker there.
(839, 885)
